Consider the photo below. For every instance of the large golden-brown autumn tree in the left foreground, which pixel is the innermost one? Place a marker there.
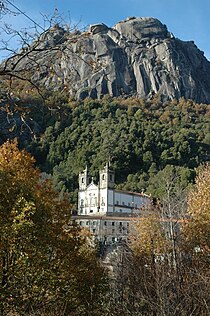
(46, 262)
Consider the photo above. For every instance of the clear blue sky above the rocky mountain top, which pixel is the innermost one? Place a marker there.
(186, 19)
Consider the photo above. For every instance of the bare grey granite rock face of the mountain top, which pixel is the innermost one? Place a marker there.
(137, 56)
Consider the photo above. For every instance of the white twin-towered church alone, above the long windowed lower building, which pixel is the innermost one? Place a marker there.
(103, 199)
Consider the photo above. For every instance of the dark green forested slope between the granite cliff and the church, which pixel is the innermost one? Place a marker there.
(139, 138)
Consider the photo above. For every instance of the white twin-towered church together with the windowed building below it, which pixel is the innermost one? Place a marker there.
(106, 212)
